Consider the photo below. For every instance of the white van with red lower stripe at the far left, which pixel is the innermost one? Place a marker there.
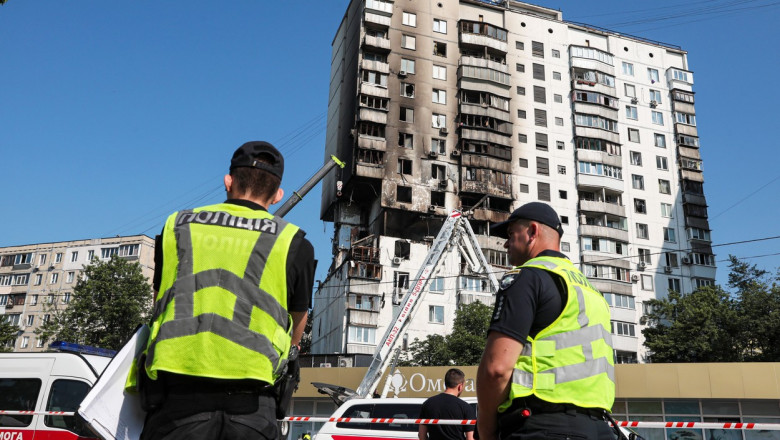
(46, 382)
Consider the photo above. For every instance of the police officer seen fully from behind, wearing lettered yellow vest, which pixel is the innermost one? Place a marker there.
(233, 287)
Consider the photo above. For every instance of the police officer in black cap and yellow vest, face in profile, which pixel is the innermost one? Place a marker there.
(547, 370)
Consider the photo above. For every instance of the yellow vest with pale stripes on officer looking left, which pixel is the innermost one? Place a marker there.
(570, 361)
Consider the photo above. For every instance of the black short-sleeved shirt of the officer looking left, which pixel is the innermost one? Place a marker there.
(528, 302)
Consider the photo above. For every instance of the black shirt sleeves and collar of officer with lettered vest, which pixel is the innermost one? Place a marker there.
(300, 265)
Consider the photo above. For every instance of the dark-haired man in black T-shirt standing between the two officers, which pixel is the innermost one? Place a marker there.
(448, 405)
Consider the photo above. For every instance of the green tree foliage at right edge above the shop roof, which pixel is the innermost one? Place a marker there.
(712, 324)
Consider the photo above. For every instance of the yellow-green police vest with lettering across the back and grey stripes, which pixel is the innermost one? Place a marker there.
(221, 310)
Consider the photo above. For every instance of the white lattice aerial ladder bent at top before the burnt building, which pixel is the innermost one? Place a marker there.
(455, 234)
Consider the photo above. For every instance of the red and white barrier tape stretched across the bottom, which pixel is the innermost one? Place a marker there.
(626, 424)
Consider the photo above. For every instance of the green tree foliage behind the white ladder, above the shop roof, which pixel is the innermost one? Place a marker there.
(463, 346)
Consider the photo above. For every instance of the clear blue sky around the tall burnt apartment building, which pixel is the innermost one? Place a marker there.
(113, 114)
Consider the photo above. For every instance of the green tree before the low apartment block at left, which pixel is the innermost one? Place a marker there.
(110, 300)
